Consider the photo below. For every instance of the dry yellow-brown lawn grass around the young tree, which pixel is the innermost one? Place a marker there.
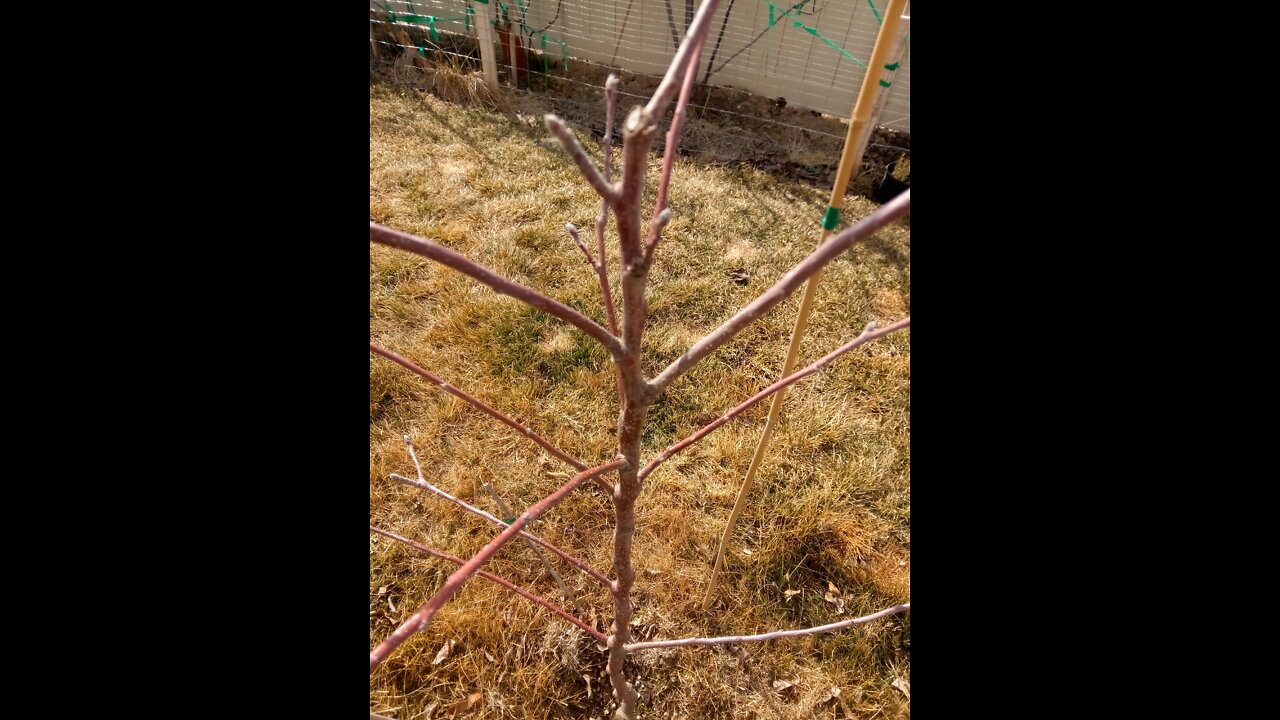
(833, 503)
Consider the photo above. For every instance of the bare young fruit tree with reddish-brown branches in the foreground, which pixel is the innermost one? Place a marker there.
(623, 476)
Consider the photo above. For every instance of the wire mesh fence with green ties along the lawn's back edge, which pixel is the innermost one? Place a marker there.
(776, 83)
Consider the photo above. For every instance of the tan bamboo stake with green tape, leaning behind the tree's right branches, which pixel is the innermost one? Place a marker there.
(851, 160)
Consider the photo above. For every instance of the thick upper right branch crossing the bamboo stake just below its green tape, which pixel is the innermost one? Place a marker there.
(793, 280)
